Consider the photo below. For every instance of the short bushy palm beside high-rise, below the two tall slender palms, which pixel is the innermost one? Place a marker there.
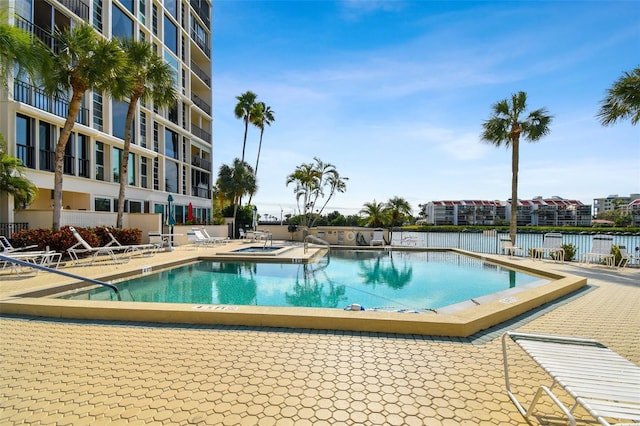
(234, 182)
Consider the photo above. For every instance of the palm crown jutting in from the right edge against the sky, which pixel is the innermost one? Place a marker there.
(623, 100)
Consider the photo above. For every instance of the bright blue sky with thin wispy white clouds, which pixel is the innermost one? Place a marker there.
(394, 94)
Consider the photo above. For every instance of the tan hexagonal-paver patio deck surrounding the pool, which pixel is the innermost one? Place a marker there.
(80, 372)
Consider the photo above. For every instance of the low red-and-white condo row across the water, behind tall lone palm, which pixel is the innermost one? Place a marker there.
(554, 211)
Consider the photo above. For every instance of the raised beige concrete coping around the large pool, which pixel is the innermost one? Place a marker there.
(466, 320)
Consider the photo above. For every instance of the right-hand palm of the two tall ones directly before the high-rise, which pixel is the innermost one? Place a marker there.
(150, 78)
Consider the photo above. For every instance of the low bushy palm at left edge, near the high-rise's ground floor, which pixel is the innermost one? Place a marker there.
(12, 179)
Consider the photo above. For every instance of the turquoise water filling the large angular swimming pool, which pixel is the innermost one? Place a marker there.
(398, 280)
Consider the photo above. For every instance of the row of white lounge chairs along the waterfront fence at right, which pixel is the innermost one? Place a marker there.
(601, 250)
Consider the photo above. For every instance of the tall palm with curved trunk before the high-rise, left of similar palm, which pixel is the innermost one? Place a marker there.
(83, 61)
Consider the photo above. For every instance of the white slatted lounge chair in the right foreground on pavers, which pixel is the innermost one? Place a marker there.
(598, 379)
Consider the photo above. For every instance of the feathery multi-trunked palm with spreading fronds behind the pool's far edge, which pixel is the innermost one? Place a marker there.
(311, 181)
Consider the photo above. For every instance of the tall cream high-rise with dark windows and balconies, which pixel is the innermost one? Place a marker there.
(171, 147)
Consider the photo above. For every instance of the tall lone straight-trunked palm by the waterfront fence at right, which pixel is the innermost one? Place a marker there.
(505, 127)
